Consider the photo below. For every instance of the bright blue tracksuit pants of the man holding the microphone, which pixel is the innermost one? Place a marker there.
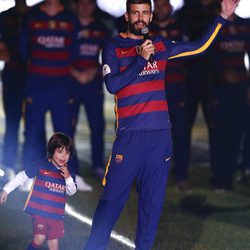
(144, 157)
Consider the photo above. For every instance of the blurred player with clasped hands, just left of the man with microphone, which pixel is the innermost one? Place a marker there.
(86, 71)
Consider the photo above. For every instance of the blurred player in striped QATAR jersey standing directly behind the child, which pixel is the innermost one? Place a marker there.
(49, 44)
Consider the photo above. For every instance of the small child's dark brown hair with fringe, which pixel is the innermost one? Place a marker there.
(59, 140)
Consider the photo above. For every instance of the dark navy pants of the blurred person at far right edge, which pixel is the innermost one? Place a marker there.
(228, 112)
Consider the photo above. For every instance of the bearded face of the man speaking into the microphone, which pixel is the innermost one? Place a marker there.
(138, 17)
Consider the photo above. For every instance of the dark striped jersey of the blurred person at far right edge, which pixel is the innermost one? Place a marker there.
(231, 52)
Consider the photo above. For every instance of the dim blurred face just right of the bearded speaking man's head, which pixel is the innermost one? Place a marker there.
(163, 10)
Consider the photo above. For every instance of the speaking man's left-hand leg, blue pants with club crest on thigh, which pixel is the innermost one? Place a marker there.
(125, 161)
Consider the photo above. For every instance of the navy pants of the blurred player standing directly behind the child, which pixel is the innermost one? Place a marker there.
(41, 97)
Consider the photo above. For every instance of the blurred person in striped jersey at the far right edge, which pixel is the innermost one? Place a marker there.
(229, 97)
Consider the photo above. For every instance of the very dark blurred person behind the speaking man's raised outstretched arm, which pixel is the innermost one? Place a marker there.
(195, 17)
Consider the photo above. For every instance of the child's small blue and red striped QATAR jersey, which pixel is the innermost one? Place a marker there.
(47, 197)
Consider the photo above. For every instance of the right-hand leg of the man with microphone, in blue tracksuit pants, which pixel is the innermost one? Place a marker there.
(151, 186)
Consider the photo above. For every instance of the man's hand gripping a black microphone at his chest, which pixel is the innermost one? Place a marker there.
(147, 48)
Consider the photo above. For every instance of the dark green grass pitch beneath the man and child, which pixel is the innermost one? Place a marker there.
(202, 220)
